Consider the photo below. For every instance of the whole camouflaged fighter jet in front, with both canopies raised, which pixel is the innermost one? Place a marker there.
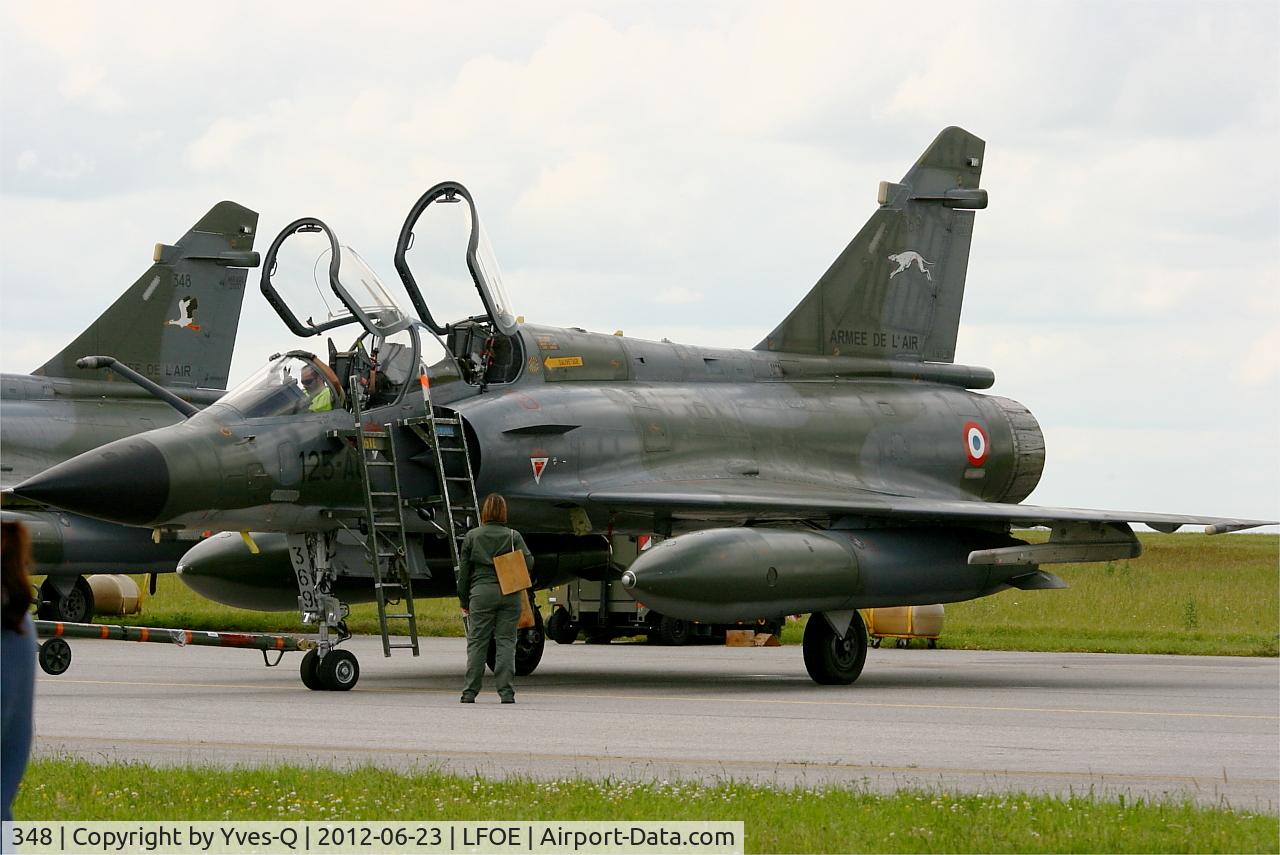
(844, 463)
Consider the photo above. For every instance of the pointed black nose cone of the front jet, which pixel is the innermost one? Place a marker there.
(125, 482)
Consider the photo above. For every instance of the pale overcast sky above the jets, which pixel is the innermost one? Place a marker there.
(689, 171)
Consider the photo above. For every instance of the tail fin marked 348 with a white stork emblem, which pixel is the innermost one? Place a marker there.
(177, 324)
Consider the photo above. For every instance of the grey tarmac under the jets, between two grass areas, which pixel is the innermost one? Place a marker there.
(1200, 728)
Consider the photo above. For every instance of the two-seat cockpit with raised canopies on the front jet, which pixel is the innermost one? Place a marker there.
(307, 267)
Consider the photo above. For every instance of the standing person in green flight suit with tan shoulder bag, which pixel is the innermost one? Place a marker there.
(491, 614)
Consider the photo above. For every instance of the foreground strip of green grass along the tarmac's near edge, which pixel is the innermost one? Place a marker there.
(830, 820)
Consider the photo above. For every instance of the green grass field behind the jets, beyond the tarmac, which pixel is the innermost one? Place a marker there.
(1190, 593)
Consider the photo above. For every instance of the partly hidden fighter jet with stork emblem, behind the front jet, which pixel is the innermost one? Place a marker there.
(177, 327)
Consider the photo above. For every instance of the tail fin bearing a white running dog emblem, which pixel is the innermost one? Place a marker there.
(897, 290)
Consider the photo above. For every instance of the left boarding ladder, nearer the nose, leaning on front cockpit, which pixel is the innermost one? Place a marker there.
(386, 543)
